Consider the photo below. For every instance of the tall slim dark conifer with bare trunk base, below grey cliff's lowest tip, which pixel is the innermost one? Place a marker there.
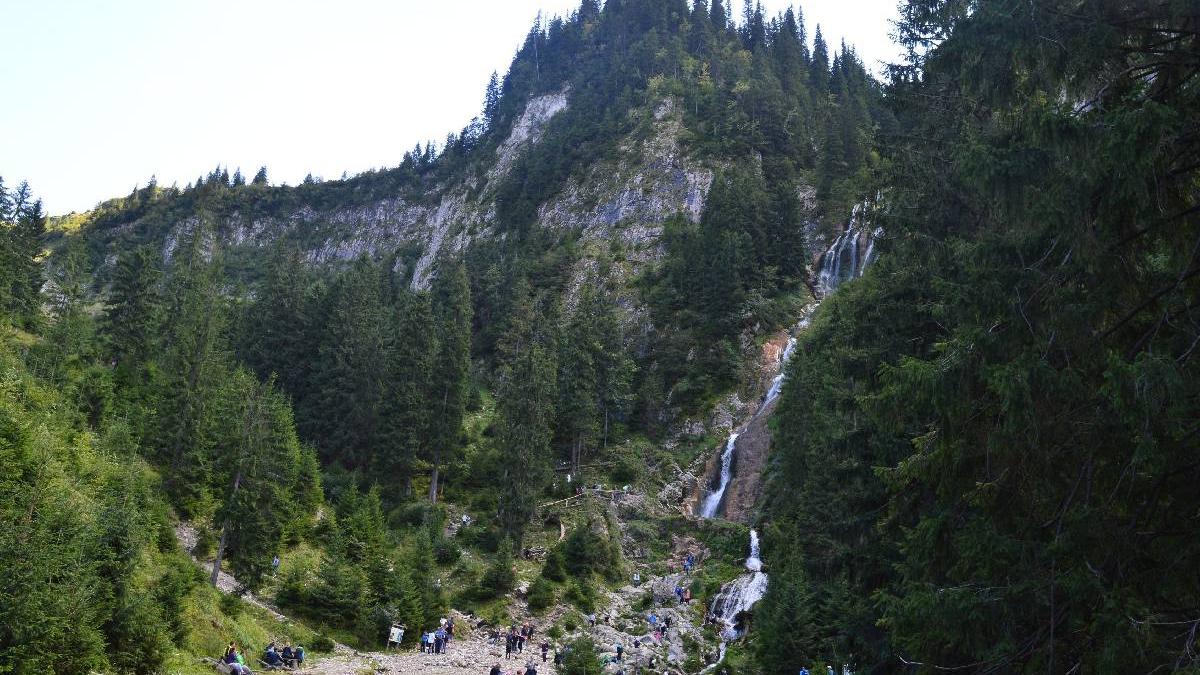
(451, 375)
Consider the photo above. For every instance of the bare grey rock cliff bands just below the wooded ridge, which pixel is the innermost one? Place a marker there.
(625, 200)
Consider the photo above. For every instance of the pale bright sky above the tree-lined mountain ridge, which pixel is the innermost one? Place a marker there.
(101, 95)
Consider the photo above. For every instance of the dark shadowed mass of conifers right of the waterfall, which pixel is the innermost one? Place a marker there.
(983, 443)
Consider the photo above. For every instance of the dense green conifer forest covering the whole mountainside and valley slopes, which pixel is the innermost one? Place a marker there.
(985, 456)
